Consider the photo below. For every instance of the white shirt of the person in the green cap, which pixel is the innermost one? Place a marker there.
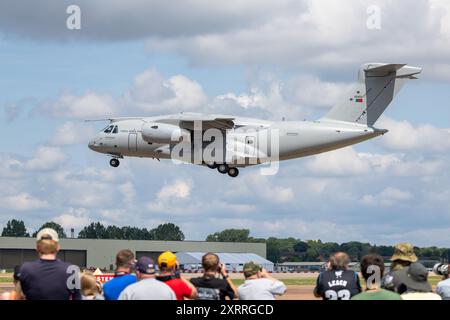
(261, 289)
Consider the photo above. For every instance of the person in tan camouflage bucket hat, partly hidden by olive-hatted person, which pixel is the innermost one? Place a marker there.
(401, 259)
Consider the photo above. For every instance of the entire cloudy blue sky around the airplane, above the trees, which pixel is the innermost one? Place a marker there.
(262, 59)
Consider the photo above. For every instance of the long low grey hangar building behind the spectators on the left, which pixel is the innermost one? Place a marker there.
(101, 252)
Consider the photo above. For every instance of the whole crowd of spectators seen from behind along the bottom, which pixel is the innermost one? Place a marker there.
(49, 278)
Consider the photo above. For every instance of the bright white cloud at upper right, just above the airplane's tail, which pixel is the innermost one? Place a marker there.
(325, 34)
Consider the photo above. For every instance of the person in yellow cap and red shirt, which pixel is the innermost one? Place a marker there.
(168, 273)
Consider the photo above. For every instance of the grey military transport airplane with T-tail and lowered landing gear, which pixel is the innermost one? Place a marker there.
(237, 142)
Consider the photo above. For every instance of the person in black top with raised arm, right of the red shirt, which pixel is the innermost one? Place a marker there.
(210, 287)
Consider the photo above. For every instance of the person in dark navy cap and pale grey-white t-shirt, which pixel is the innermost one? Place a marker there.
(147, 287)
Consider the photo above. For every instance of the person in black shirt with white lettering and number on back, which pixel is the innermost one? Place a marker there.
(338, 283)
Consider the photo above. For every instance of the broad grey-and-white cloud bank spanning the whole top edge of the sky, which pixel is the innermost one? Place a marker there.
(303, 33)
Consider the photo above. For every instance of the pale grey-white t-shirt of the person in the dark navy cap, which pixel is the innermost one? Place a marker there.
(148, 289)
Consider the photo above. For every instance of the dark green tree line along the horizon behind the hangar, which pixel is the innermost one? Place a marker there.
(278, 250)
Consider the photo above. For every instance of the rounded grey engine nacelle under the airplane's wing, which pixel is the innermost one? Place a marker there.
(163, 133)
